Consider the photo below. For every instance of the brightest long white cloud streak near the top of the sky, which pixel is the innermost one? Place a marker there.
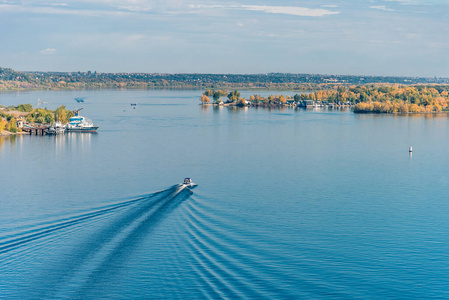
(288, 10)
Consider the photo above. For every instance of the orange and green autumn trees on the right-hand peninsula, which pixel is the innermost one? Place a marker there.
(365, 99)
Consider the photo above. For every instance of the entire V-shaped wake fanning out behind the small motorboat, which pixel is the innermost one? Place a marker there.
(151, 246)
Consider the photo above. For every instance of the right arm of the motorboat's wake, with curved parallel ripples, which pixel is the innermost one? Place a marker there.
(227, 266)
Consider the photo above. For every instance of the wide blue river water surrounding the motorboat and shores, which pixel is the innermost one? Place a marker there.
(290, 204)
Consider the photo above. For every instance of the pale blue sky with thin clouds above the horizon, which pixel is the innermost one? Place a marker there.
(344, 37)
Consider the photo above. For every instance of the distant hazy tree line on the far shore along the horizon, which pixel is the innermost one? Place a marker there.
(13, 80)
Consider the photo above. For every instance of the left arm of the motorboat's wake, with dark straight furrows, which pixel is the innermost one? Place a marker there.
(118, 228)
